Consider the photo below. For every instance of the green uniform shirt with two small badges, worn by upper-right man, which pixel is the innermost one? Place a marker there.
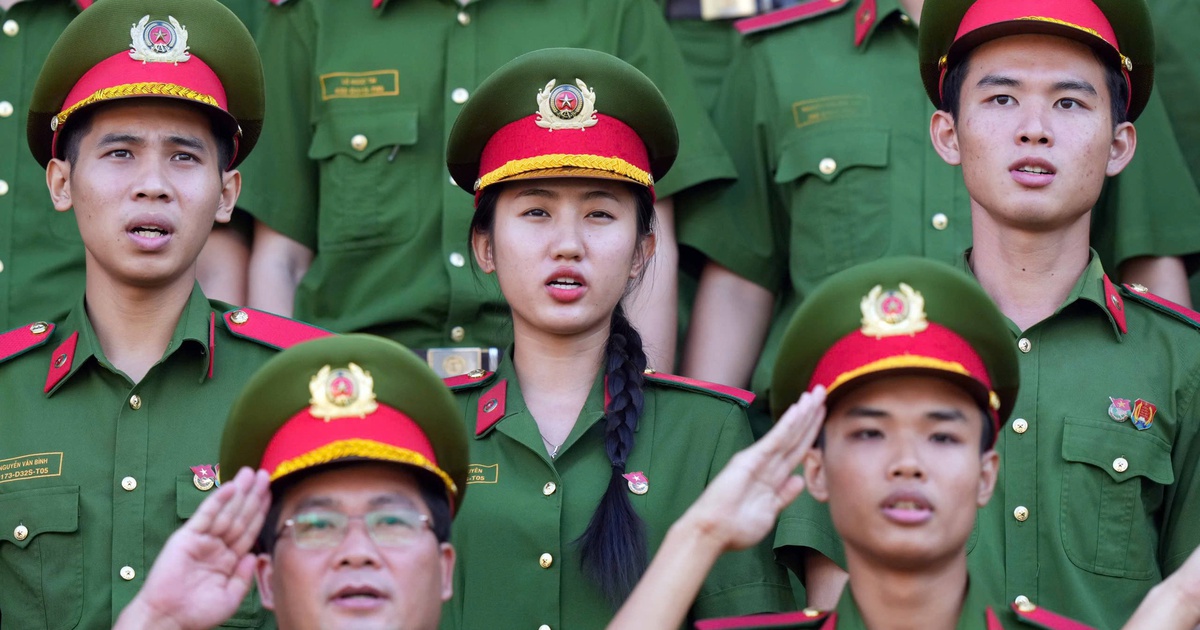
(1089, 513)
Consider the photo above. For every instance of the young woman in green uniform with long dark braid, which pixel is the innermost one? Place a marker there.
(581, 457)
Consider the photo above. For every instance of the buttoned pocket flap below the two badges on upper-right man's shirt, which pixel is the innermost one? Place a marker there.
(1118, 449)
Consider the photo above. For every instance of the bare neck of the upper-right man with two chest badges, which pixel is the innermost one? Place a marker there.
(1029, 274)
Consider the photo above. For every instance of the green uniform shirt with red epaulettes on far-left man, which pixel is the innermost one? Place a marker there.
(97, 472)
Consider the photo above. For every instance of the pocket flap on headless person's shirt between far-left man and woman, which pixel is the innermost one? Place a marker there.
(361, 135)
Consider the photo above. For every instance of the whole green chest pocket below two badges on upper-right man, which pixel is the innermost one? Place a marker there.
(1113, 487)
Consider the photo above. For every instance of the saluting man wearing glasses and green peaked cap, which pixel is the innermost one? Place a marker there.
(362, 457)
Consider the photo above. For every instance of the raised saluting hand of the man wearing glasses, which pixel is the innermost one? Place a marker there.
(207, 567)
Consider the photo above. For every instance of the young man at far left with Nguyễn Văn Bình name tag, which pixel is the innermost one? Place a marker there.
(111, 417)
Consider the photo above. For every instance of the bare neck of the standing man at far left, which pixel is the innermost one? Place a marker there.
(135, 325)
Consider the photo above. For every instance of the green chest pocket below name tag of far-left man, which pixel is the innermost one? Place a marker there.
(41, 559)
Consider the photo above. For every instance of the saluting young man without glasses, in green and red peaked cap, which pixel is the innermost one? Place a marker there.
(916, 367)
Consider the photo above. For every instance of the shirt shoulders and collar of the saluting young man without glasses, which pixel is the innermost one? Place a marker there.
(977, 615)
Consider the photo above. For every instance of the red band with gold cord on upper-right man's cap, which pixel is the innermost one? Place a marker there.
(1077, 20)
